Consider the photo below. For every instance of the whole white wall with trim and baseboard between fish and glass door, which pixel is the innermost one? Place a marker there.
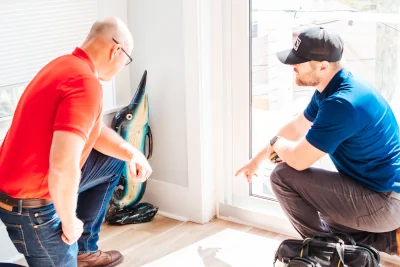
(172, 42)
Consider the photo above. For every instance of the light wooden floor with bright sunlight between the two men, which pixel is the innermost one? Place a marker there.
(166, 242)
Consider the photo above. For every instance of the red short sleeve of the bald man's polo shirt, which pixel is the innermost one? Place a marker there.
(79, 106)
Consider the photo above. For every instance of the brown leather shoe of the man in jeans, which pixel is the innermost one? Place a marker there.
(100, 259)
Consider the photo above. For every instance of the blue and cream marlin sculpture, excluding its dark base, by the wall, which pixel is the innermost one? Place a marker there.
(131, 122)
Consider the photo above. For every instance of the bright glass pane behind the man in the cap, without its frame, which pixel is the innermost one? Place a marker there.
(371, 49)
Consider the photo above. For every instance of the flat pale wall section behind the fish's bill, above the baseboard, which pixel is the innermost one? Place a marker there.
(159, 48)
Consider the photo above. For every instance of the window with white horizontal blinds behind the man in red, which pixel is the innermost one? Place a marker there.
(33, 33)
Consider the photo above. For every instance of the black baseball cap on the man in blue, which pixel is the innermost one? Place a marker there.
(316, 44)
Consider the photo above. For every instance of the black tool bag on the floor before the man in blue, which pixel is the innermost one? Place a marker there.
(327, 250)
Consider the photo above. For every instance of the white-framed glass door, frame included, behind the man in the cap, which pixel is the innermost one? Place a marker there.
(264, 93)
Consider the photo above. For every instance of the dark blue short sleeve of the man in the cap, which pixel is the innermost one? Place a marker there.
(335, 122)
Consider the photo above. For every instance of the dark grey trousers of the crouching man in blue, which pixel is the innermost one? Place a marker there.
(317, 201)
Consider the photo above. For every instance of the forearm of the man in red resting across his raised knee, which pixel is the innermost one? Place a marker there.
(111, 144)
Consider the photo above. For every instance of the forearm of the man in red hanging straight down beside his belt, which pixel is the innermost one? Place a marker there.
(63, 188)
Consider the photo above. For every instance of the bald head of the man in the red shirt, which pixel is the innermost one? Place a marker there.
(109, 45)
